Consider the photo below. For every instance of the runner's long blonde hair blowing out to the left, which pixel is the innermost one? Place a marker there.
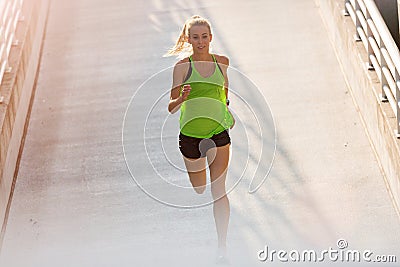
(182, 46)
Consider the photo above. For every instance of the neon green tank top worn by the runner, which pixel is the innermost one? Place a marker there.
(204, 113)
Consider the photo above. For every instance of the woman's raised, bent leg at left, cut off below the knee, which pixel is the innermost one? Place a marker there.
(196, 169)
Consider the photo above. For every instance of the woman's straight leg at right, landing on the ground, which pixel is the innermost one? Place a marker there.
(218, 169)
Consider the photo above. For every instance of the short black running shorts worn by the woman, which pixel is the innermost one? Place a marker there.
(194, 148)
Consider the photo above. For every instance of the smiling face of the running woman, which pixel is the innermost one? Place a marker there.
(200, 38)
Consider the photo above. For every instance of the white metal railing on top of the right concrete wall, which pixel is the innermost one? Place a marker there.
(383, 53)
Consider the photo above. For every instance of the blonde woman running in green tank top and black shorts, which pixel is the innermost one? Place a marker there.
(200, 91)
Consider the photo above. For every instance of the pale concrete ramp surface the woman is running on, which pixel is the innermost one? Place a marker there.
(75, 201)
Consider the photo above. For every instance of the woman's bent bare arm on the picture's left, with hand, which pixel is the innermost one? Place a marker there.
(176, 98)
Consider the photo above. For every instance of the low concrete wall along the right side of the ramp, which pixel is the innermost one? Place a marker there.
(378, 118)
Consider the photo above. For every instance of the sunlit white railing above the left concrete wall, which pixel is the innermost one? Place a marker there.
(10, 12)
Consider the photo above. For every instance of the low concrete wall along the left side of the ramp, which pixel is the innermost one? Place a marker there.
(17, 88)
